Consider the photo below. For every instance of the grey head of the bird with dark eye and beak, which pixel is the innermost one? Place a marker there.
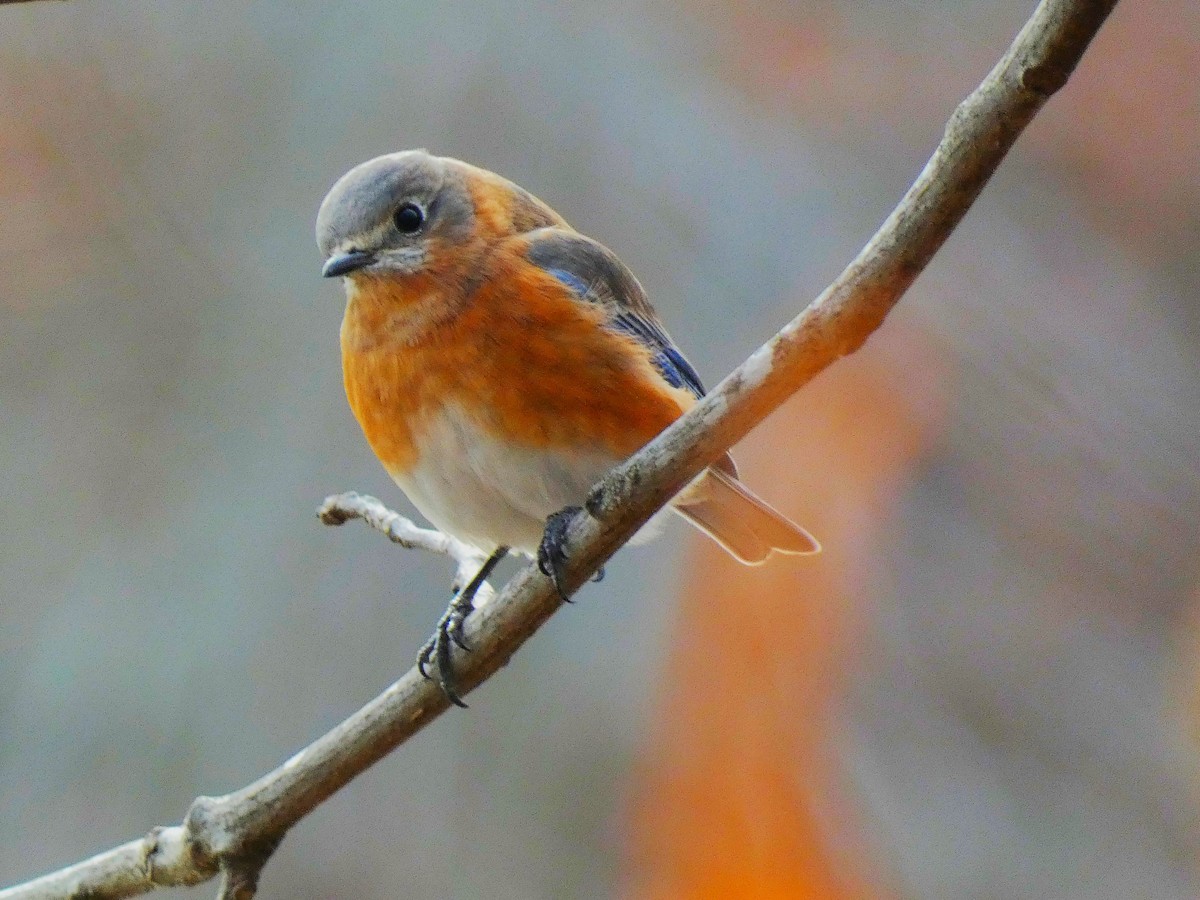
(383, 215)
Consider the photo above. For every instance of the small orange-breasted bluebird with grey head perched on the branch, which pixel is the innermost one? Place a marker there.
(501, 363)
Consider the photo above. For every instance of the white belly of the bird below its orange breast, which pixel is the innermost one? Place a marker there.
(489, 494)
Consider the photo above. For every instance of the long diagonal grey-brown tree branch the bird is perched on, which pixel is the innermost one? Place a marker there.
(236, 833)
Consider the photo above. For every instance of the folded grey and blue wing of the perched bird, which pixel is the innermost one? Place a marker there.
(596, 275)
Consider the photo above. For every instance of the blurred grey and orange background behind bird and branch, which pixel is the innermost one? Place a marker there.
(987, 687)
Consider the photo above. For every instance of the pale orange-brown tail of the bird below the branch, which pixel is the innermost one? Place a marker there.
(749, 530)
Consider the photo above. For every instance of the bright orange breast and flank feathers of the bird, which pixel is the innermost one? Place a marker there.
(524, 361)
